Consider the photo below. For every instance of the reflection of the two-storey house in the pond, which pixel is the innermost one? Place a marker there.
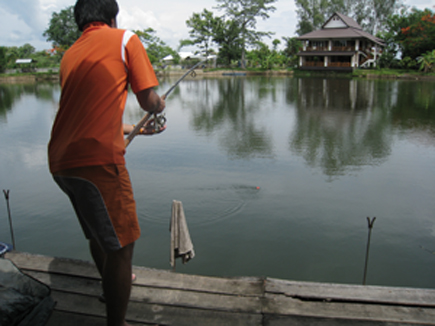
(341, 124)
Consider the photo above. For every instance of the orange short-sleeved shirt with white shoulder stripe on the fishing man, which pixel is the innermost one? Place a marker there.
(95, 74)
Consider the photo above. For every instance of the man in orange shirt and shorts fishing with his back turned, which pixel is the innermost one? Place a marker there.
(86, 149)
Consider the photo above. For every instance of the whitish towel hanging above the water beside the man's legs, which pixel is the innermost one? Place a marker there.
(181, 244)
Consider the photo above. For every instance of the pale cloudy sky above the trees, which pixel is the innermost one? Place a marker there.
(24, 21)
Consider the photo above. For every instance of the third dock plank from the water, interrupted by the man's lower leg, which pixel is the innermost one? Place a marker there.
(154, 313)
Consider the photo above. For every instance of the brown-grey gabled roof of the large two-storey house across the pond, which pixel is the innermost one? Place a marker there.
(352, 31)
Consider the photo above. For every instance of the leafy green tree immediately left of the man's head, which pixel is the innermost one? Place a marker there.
(62, 30)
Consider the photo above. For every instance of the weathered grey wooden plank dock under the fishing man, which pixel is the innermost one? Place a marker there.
(165, 298)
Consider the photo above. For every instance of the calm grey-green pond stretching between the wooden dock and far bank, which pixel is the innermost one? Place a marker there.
(277, 176)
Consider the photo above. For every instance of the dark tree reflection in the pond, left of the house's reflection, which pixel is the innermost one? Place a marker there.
(229, 108)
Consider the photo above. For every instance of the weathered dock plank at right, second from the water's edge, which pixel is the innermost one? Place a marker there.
(282, 305)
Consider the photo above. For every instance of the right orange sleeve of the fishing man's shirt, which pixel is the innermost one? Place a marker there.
(141, 74)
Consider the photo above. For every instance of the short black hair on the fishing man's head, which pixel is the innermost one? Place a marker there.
(88, 11)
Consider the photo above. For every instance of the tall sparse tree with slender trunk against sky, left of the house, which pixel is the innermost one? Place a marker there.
(245, 13)
